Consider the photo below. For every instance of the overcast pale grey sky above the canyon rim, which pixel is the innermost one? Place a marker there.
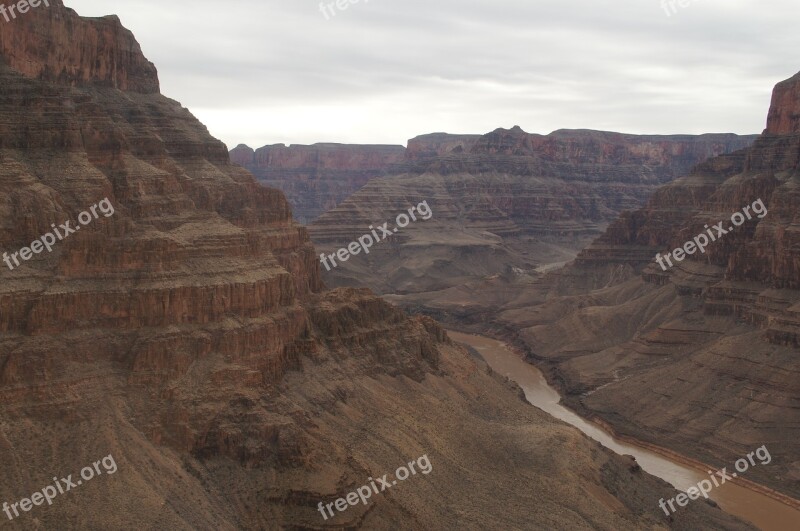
(382, 71)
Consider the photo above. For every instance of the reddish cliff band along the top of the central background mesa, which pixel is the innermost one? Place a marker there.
(575, 155)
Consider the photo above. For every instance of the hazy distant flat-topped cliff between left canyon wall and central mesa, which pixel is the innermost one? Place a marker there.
(317, 178)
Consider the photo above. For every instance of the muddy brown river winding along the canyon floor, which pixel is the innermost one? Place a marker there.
(763, 511)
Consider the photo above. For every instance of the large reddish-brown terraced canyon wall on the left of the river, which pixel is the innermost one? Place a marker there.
(188, 336)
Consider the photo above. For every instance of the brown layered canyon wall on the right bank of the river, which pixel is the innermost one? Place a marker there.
(703, 357)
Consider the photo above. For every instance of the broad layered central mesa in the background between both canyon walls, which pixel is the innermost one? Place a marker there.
(505, 201)
